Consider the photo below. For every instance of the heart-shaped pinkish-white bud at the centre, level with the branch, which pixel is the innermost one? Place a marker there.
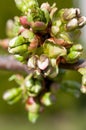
(43, 62)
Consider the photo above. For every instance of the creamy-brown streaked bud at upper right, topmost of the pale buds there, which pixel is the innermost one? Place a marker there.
(71, 13)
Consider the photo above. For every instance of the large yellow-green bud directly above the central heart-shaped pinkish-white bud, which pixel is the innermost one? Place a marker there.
(52, 50)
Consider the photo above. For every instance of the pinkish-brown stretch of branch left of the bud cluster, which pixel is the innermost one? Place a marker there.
(9, 63)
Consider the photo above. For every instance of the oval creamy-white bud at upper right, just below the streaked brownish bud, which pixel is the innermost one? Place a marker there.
(72, 24)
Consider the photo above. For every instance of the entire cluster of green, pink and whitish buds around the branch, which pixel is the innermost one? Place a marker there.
(42, 38)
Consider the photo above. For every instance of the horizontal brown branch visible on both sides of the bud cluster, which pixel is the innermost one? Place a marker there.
(9, 63)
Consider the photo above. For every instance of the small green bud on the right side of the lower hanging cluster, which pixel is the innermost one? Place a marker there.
(46, 99)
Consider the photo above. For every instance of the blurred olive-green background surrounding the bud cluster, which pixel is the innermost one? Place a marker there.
(69, 111)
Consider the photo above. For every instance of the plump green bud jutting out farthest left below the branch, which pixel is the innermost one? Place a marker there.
(13, 95)
